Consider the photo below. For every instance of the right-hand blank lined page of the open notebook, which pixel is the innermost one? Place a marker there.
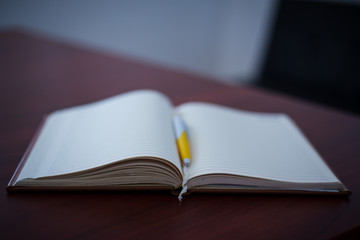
(270, 146)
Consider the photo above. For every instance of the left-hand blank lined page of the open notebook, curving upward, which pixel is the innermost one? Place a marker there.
(135, 124)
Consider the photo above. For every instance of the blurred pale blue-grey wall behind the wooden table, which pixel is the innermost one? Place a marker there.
(223, 39)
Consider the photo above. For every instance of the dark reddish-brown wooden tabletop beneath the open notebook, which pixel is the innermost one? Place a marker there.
(39, 75)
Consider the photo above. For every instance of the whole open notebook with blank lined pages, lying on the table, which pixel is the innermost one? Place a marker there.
(128, 142)
